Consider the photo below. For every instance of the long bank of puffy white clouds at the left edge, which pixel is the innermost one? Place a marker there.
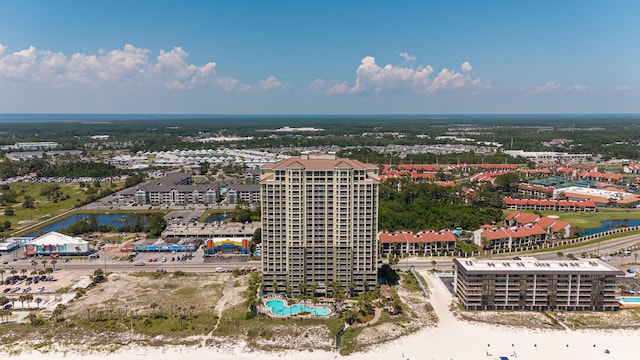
(130, 66)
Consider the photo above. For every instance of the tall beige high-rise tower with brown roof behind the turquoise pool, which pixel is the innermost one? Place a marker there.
(319, 225)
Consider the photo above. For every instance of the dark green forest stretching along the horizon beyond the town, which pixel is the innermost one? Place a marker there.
(612, 136)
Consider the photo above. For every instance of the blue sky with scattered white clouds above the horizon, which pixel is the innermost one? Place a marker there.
(319, 57)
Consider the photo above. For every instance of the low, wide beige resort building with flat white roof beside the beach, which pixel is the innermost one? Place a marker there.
(530, 284)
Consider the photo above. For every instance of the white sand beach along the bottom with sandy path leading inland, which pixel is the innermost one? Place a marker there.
(451, 339)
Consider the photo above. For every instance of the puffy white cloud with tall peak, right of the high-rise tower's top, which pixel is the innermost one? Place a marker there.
(372, 78)
